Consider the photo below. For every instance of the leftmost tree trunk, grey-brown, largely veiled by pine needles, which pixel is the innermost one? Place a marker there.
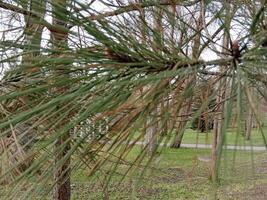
(33, 34)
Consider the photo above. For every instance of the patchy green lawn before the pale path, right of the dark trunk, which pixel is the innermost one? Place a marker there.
(178, 174)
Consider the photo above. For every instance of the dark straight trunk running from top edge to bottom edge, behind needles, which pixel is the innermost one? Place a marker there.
(62, 190)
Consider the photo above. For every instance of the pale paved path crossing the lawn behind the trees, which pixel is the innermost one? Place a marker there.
(208, 146)
